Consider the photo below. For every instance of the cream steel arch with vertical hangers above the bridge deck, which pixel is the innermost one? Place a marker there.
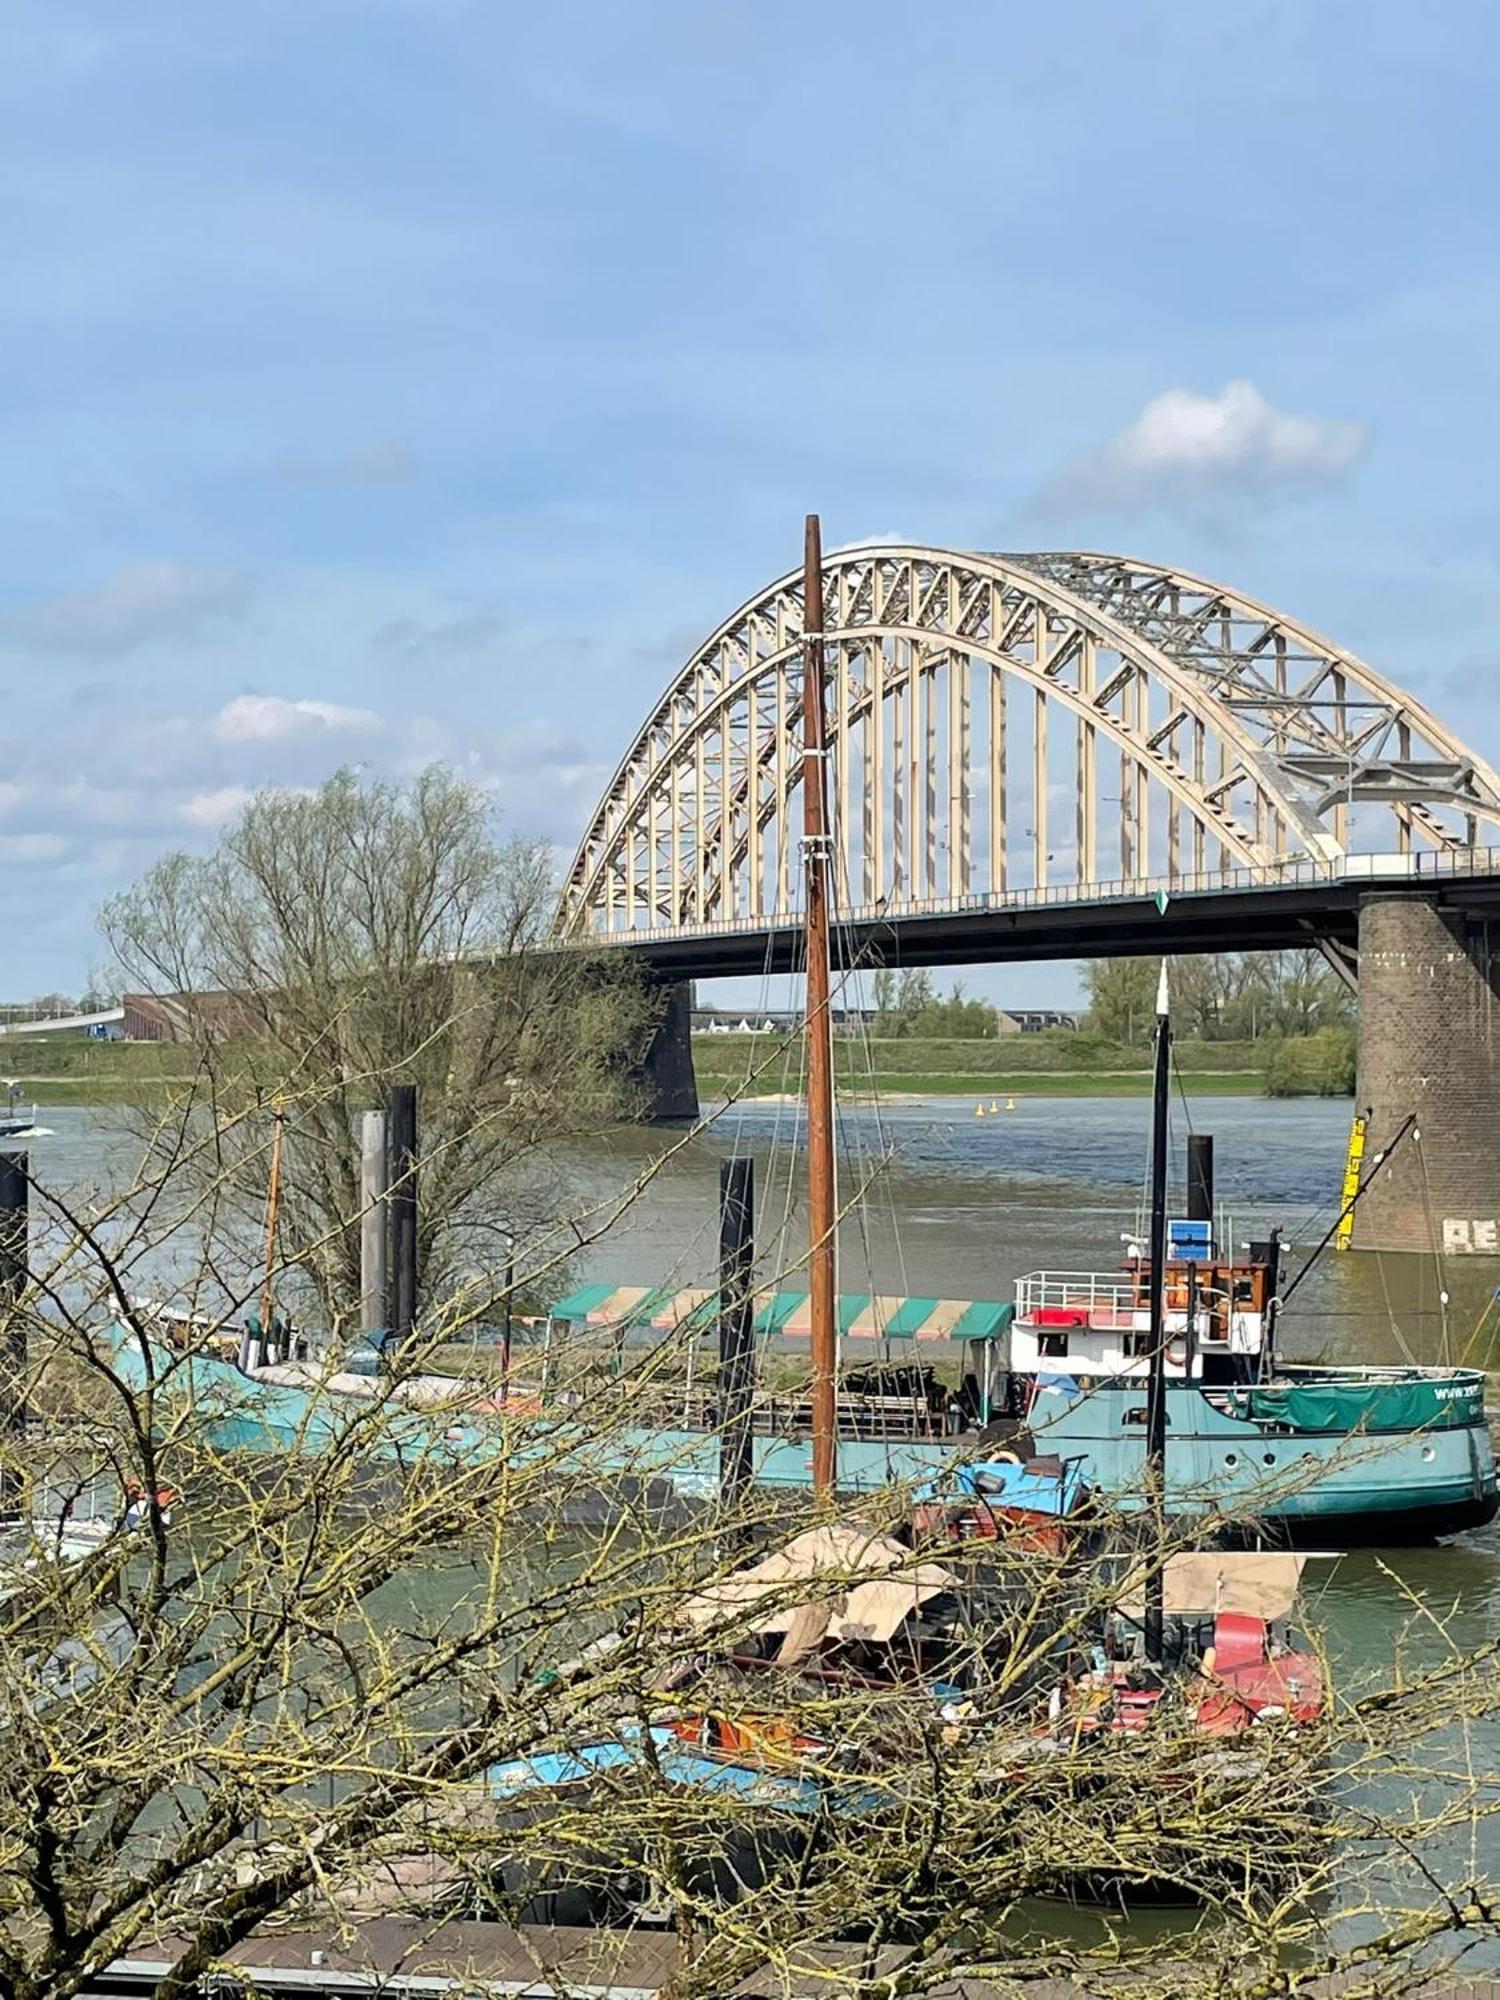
(1009, 731)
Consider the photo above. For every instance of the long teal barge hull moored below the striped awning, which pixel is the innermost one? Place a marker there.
(1313, 1455)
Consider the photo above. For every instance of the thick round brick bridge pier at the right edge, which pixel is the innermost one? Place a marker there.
(1431, 1047)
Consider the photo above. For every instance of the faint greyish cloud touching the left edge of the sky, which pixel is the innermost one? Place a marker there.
(137, 607)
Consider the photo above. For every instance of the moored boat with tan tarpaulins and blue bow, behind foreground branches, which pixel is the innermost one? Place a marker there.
(861, 1661)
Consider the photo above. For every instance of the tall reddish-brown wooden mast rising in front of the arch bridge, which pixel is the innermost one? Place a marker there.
(819, 1025)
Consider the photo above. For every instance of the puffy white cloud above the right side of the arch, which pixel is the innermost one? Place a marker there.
(1187, 447)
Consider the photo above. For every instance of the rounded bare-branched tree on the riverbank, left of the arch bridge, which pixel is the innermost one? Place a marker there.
(369, 933)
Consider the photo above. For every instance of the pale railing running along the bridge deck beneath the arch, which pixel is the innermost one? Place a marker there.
(1291, 873)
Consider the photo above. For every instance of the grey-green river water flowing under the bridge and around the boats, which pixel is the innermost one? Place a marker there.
(961, 1207)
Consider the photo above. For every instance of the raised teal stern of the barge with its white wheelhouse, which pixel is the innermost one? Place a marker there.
(1307, 1453)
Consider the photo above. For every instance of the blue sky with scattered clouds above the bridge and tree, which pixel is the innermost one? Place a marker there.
(389, 381)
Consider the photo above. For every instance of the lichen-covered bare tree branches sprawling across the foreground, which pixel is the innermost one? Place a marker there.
(291, 1691)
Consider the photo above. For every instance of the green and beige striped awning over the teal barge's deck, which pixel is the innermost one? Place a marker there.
(857, 1315)
